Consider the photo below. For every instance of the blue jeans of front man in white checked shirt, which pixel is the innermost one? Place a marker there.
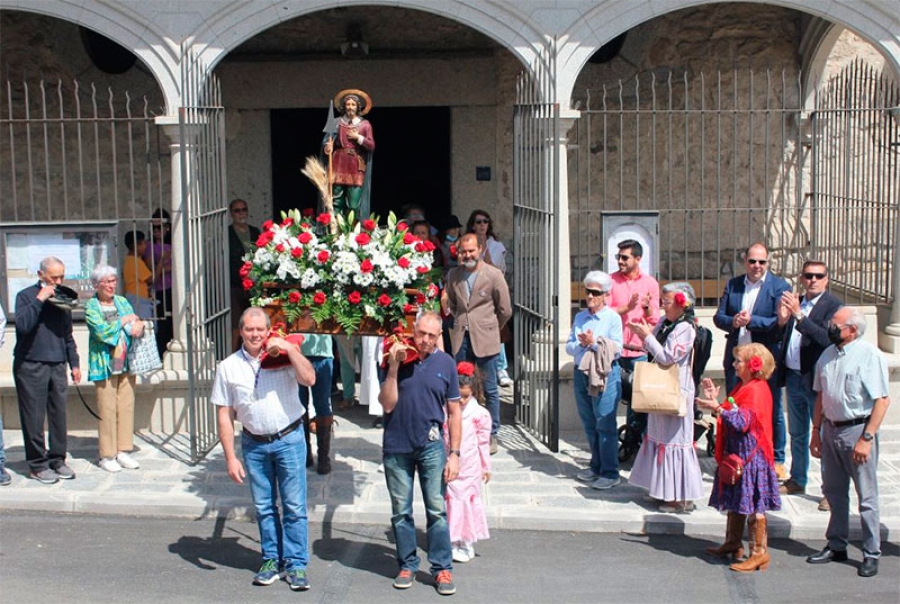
(278, 469)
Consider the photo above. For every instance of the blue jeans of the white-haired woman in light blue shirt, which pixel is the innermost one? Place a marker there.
(598, 416)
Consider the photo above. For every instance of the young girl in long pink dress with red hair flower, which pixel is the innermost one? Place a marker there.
(465, 508)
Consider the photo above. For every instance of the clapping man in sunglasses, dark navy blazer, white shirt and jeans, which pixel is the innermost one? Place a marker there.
(805, 321)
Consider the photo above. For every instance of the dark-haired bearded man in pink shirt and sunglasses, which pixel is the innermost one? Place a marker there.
(635, 296)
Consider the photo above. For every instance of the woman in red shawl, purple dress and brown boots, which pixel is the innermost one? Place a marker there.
(745, 429)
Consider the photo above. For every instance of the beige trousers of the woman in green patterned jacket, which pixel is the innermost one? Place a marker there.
(115, 406)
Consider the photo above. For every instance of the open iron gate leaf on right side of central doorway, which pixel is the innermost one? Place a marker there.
(536, 262)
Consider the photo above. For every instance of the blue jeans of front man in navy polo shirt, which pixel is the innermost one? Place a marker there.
(399, 472)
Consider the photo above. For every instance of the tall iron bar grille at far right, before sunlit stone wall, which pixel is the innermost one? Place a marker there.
(855, 191)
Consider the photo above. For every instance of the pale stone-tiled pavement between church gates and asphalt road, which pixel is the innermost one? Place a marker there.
(531, 488)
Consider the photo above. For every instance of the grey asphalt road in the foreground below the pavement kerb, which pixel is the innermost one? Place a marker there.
(92, 559)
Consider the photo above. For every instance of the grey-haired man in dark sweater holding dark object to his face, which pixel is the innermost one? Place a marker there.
(44, 344)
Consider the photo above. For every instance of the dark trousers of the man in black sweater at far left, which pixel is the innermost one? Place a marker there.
(41, 388)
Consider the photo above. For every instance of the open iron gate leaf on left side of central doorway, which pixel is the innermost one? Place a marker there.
(202, 132)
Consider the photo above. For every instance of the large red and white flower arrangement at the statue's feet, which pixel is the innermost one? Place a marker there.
(334, 268)
